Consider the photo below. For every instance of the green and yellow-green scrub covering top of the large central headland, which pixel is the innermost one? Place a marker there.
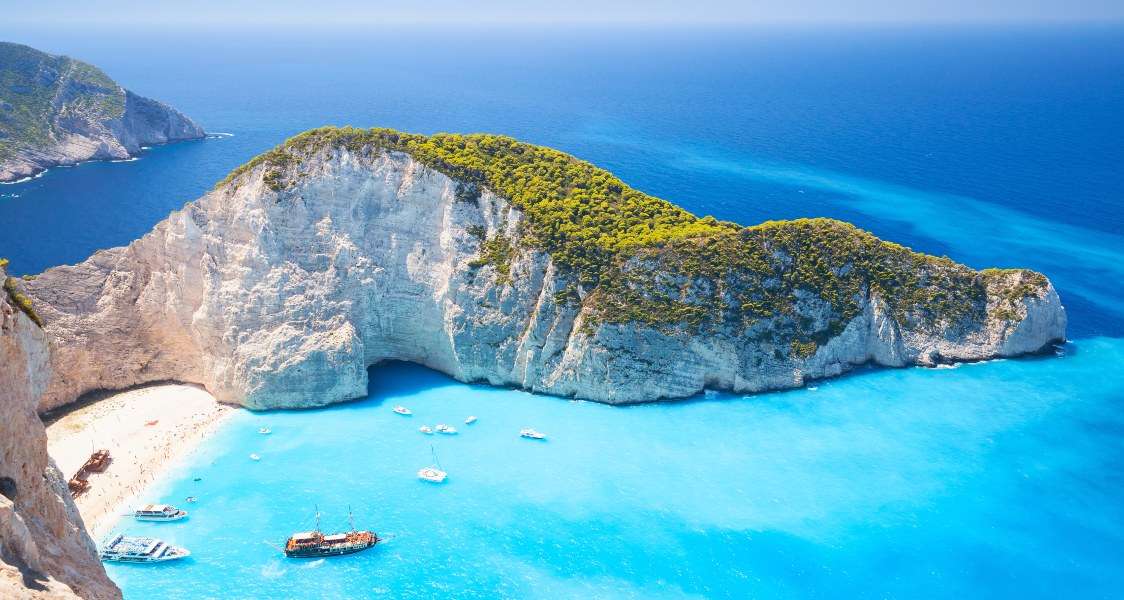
(641, 259)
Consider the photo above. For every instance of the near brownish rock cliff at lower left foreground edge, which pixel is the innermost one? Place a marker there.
(44, 549)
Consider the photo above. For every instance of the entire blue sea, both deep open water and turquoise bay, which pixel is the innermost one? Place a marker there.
(993, 146)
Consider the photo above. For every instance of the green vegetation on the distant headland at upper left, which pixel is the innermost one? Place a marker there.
(37, 89)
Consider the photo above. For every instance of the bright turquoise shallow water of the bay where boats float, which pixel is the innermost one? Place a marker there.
(989, 480)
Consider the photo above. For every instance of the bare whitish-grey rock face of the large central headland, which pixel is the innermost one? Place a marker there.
(285, 298)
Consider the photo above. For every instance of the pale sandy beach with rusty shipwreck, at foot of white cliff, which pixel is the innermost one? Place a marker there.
(146, 431)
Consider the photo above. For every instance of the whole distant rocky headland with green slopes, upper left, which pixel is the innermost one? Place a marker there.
(57, 111)
